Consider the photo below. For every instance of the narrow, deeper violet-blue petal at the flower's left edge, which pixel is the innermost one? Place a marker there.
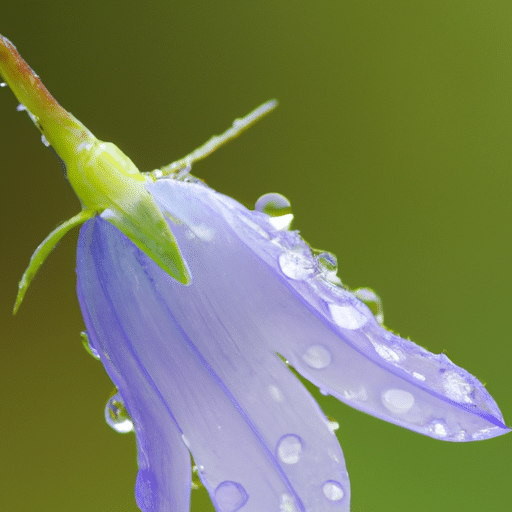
(164, 477)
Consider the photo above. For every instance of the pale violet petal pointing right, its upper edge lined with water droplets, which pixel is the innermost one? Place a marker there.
(331, 337)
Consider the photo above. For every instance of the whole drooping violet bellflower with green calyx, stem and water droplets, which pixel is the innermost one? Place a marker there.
(196, 307)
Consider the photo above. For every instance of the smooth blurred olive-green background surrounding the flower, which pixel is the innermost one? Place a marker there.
(393, 143)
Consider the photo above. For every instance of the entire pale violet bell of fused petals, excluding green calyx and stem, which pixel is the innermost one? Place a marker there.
(200, 360)
